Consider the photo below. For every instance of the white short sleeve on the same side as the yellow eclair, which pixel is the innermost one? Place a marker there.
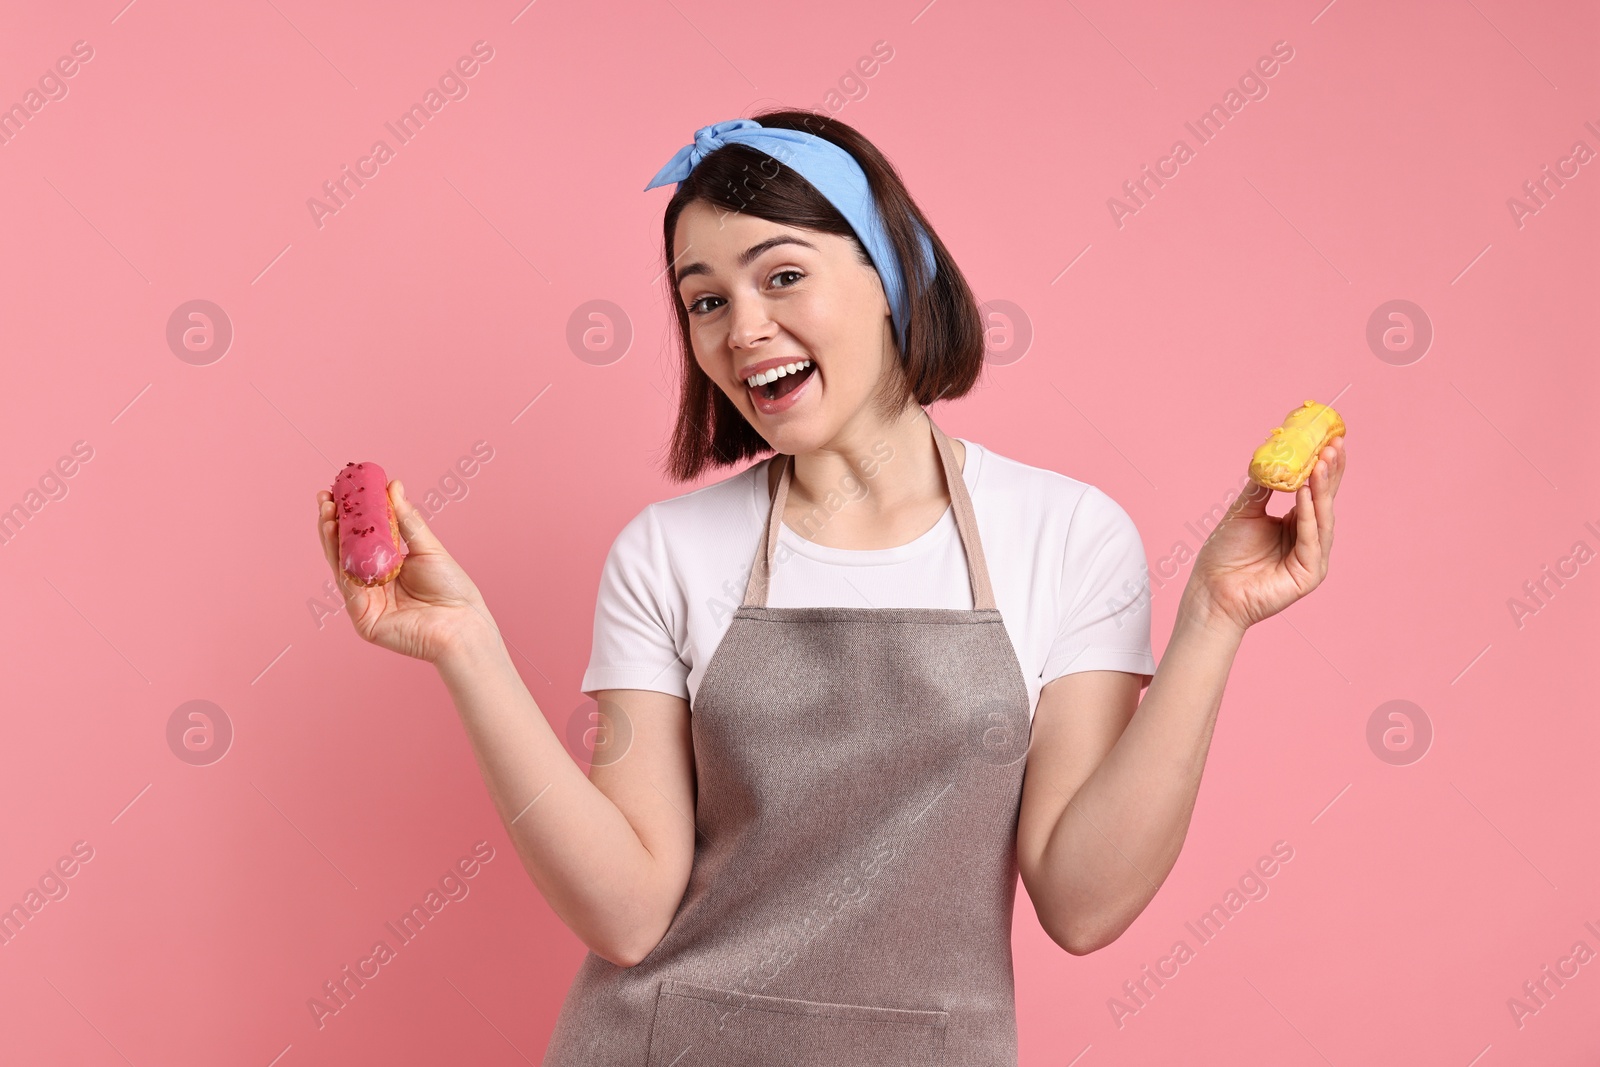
(1105, 607)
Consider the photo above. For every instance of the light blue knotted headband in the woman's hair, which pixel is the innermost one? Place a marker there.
(833, 172)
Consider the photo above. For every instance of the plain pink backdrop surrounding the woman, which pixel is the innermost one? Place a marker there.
(434, 308)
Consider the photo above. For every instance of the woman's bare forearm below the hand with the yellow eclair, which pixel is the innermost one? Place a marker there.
(1122, 831)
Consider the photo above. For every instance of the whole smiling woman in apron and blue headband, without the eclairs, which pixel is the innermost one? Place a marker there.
(818, 865)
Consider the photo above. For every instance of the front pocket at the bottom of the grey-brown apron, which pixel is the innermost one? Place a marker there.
(698, 1026)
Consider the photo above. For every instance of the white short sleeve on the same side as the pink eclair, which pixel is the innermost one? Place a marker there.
(634, 644)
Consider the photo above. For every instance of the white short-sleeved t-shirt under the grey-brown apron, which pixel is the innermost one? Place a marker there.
(1066, 564)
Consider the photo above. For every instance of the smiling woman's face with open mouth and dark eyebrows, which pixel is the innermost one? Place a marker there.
(801, 297)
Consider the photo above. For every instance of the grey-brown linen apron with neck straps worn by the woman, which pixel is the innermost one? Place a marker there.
(860, 773)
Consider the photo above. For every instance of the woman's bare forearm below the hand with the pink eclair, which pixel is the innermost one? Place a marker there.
(577, 845)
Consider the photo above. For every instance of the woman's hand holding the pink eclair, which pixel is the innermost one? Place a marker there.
(428, 609)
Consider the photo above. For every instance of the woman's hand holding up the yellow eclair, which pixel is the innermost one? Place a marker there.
(1255, 565)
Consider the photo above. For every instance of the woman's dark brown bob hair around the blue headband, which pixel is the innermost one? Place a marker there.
(943, 351)
